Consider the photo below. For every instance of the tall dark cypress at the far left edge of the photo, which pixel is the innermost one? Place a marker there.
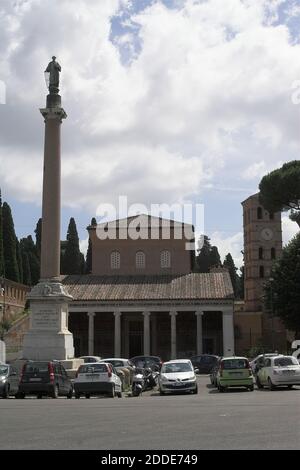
(9, 245)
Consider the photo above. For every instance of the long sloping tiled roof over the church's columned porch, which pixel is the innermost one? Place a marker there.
(193, 286)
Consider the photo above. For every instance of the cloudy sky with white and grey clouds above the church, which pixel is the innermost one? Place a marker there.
(168, 101)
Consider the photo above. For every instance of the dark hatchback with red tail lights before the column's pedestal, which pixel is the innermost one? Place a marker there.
(44, 378)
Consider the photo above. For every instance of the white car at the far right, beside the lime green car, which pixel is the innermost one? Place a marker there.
(277, 371)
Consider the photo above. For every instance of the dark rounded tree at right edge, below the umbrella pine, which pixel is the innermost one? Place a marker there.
(282, 291)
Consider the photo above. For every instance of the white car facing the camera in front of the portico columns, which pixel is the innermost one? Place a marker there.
(178, 375)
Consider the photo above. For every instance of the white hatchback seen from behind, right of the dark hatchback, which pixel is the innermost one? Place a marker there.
(97, 378)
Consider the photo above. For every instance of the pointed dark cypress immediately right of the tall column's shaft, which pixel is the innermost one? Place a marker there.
(72, 259)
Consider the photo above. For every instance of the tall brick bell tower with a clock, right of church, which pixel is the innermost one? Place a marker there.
(262, 245)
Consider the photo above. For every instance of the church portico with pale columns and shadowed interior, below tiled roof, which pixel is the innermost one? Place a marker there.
(169, 332)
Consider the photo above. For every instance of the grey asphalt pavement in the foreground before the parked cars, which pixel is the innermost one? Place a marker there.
(237, 419)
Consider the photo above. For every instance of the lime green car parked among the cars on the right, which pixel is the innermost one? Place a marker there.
(234, 372)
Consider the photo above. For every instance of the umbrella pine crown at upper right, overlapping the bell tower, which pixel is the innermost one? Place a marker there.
(280, 190)
